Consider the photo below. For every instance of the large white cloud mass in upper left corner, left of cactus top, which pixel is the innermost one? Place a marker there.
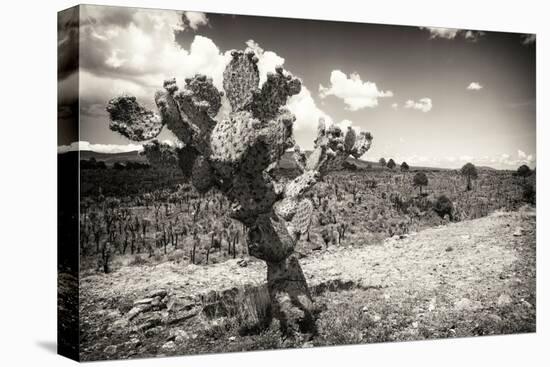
(143, 48)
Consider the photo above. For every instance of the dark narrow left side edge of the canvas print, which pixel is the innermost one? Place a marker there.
(68, 185)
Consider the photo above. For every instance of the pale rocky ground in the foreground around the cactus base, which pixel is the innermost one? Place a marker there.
(463, 279)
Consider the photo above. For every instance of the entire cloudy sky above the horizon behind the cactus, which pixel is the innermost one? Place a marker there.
(436, 97)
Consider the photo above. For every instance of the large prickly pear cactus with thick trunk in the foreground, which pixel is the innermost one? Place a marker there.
(237, 155)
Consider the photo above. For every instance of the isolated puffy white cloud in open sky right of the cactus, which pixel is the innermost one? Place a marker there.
(355, 93)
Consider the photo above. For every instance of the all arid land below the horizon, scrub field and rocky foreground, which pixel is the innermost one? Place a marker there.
(167, 272)
